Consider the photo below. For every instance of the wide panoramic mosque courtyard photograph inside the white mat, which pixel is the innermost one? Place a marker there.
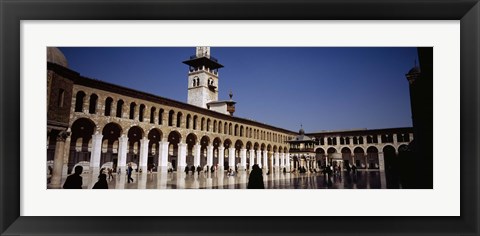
(206, 117)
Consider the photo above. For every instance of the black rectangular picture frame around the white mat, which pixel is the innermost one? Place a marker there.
(13, 11)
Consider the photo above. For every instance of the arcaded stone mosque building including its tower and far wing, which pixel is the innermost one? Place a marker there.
(98, 124)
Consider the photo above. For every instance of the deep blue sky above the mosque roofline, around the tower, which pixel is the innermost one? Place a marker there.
(322, 88)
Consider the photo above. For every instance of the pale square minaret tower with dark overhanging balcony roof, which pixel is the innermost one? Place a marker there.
(202, 78)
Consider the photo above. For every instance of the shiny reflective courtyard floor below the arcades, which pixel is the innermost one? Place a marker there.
(181, 180)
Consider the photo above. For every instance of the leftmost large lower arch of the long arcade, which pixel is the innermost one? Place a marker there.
(82, 130)
